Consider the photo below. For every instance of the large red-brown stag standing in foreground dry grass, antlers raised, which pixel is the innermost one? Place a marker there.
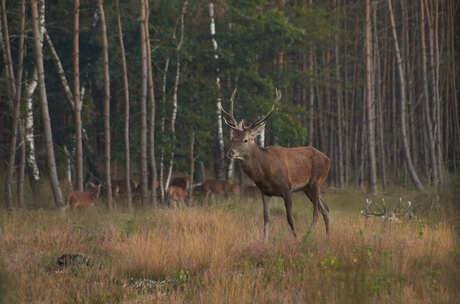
(279, 171)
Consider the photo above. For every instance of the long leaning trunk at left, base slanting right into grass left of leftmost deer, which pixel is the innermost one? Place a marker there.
(59, 200)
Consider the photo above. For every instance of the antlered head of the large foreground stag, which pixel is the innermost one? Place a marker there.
(244, 136)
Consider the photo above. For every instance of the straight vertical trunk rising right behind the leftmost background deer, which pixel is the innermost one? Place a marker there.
(77, 100)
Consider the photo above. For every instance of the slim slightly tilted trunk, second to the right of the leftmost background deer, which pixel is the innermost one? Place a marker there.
(126, 96)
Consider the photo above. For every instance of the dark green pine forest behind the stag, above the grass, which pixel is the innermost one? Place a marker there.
(386, 114)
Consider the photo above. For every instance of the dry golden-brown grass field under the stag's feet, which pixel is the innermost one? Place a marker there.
(214, 253)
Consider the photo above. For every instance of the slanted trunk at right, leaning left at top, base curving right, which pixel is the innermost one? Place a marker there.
(407, 156)
